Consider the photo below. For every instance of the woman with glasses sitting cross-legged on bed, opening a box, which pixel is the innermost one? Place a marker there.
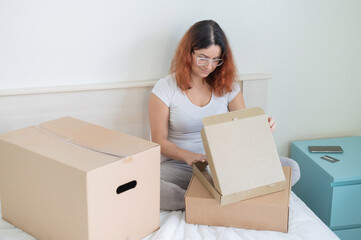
(201, 83)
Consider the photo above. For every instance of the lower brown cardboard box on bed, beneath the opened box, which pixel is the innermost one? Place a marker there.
(269, 212)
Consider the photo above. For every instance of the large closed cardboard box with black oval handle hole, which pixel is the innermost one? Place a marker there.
(69, 179)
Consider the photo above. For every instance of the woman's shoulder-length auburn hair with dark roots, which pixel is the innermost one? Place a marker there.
(202, 35)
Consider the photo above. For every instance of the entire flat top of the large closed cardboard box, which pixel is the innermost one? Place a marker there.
(70, 141)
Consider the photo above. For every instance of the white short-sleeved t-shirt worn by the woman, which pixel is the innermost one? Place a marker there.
(185, 118)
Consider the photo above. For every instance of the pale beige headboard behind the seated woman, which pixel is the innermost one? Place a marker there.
(121, 106)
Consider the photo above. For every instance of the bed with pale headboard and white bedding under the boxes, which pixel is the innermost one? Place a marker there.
(109, 105)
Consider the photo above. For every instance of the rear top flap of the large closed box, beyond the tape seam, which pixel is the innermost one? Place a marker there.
(97, 138)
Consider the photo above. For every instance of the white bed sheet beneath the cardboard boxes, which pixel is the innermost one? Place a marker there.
(303, 224)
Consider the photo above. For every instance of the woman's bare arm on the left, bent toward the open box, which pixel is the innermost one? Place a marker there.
(159, 117)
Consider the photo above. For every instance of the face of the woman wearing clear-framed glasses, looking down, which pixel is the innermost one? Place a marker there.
(212, 52)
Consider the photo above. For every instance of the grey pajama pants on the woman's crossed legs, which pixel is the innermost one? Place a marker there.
(175, 176)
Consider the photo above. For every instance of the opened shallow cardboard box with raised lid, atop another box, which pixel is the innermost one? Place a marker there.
(242, 156)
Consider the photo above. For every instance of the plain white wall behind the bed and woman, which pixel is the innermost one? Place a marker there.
(311, 47)
